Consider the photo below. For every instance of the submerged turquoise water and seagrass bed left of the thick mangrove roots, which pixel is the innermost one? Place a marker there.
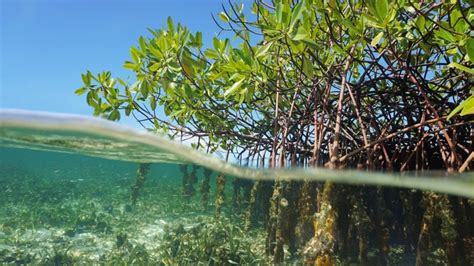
(59, 208)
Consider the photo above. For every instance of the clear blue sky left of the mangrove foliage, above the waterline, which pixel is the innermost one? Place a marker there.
(47, 44)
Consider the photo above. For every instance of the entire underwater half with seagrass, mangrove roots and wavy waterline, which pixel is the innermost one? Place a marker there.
(81, 190)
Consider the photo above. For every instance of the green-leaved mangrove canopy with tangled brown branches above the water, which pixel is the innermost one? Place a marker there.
(278, 80)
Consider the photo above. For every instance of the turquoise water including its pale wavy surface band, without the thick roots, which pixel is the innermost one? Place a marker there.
(67, 187)
